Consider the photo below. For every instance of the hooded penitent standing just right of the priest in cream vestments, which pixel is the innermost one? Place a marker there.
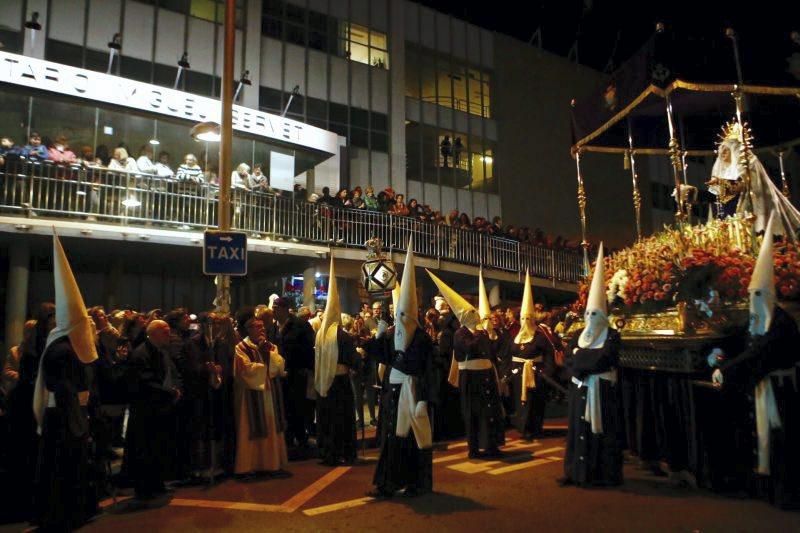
(335, 356)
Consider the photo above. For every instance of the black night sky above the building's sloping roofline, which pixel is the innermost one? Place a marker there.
(616, 29)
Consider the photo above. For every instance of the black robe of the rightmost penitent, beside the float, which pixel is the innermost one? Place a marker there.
(777, 349)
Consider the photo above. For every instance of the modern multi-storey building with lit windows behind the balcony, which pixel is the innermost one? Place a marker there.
(382, 93)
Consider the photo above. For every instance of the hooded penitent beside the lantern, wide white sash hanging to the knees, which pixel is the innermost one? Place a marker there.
(406, 458)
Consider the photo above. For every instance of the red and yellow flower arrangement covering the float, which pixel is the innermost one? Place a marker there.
(702, 265)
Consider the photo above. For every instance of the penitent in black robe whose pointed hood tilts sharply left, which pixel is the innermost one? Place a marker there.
(476, 377)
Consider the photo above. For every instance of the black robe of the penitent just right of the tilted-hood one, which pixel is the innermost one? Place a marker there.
(528, 417)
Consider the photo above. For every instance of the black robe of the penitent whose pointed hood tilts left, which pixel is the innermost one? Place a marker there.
(481, 409)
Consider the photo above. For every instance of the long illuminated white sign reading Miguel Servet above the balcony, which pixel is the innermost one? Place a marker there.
(98, 87)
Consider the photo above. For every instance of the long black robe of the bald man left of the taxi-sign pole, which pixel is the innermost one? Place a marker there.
(151, 426)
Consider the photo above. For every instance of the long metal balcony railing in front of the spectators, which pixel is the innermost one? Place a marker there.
(44, 189)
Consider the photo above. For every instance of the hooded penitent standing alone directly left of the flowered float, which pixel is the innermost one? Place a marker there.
(594, 450)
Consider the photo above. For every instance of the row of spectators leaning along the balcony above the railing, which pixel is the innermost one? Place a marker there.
(253, 179)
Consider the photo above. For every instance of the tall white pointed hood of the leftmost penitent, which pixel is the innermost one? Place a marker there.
(72, 321)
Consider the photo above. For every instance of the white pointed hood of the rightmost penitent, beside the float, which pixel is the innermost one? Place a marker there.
(762, 285)
